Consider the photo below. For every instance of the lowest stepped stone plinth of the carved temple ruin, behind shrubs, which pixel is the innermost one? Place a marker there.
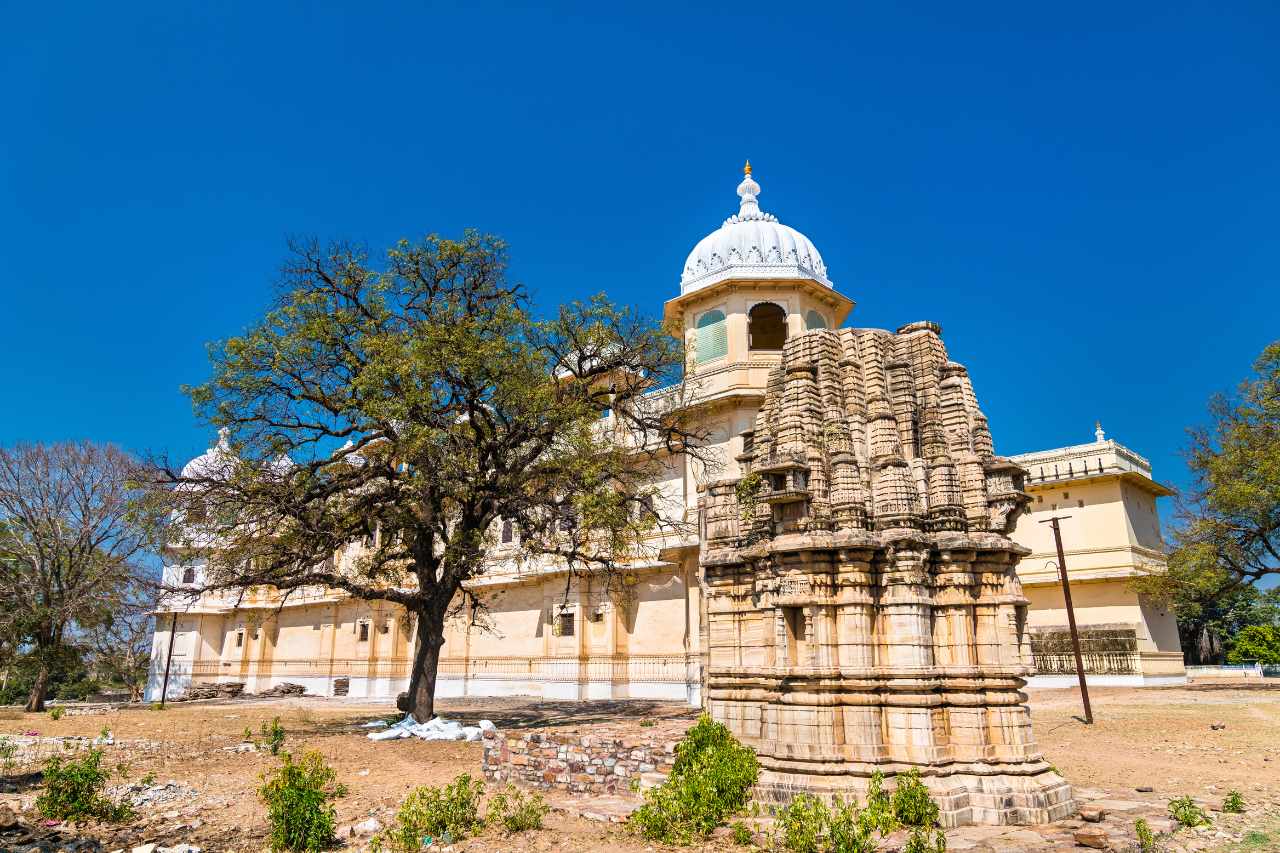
(964, 800)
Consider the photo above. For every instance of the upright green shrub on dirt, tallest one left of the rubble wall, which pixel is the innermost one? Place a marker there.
(298, 802)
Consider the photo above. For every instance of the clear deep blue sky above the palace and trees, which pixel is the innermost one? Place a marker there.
(1086, 198)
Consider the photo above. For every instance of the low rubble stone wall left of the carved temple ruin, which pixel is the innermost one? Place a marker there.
(593, 760)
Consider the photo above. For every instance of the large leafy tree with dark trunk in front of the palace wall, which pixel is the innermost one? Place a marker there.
(418, 409)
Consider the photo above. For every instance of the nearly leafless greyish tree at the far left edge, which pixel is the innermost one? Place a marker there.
(74, 531)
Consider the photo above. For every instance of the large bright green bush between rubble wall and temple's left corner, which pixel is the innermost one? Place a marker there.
(711, 779)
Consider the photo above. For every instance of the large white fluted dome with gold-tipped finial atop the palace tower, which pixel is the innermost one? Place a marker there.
(752, 245)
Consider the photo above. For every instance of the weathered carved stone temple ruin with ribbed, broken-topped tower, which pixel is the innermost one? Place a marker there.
(862, 606)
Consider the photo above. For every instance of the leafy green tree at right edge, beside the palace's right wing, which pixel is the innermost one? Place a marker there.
(1227, 536)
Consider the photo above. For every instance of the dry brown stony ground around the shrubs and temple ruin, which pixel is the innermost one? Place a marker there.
(195, 783)
